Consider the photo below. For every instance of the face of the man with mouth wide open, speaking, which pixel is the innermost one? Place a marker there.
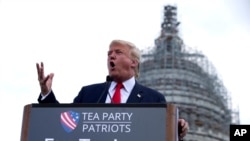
(120, 64)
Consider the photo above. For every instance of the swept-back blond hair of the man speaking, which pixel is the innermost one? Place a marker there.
(134, 52)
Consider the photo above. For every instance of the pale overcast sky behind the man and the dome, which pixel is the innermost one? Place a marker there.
(71, 37)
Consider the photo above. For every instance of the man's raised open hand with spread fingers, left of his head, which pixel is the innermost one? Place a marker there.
(45, 82)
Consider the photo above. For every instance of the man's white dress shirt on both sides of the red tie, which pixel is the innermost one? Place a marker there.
(128, 85)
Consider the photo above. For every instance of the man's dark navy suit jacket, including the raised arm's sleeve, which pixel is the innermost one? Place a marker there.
(97, 93)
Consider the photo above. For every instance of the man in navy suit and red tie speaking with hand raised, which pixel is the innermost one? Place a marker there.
(123, 67)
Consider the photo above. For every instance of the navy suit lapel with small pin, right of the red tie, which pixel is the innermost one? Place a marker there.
(136, 95)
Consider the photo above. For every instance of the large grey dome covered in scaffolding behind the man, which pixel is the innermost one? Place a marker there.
(187, 78)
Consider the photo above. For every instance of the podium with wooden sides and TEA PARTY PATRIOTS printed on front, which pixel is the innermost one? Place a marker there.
(100, 122)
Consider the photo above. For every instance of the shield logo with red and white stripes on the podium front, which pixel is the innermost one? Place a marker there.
(69, 120)
